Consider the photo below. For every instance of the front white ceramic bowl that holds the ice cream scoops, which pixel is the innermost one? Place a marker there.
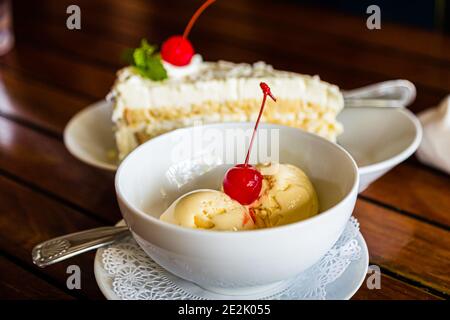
(150, 178)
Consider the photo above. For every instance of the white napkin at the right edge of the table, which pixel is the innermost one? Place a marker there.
(435, 147)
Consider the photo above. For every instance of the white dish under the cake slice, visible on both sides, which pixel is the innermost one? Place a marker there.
(377, 138)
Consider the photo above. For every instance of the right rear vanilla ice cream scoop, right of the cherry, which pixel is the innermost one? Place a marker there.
(287, 196)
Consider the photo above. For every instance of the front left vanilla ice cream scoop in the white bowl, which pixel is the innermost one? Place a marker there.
(208, 209)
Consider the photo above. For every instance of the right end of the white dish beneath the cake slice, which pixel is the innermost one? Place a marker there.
(378, 139)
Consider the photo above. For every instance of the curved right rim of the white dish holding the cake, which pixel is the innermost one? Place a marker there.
(399, 157)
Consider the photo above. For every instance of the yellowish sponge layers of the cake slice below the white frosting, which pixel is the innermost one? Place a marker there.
(139, 125)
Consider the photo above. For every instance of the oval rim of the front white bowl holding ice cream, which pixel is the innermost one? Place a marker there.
(241, 233)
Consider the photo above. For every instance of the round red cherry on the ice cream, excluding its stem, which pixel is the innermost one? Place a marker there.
(243, 183)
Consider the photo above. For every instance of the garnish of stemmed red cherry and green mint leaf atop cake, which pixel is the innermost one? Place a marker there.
(177, 50)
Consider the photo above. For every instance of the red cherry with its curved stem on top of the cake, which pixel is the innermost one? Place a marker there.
(178, 50)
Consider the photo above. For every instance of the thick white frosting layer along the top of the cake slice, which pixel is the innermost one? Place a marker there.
(218, 81)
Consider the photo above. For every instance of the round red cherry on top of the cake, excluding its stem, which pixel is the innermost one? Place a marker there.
(177, 50)
